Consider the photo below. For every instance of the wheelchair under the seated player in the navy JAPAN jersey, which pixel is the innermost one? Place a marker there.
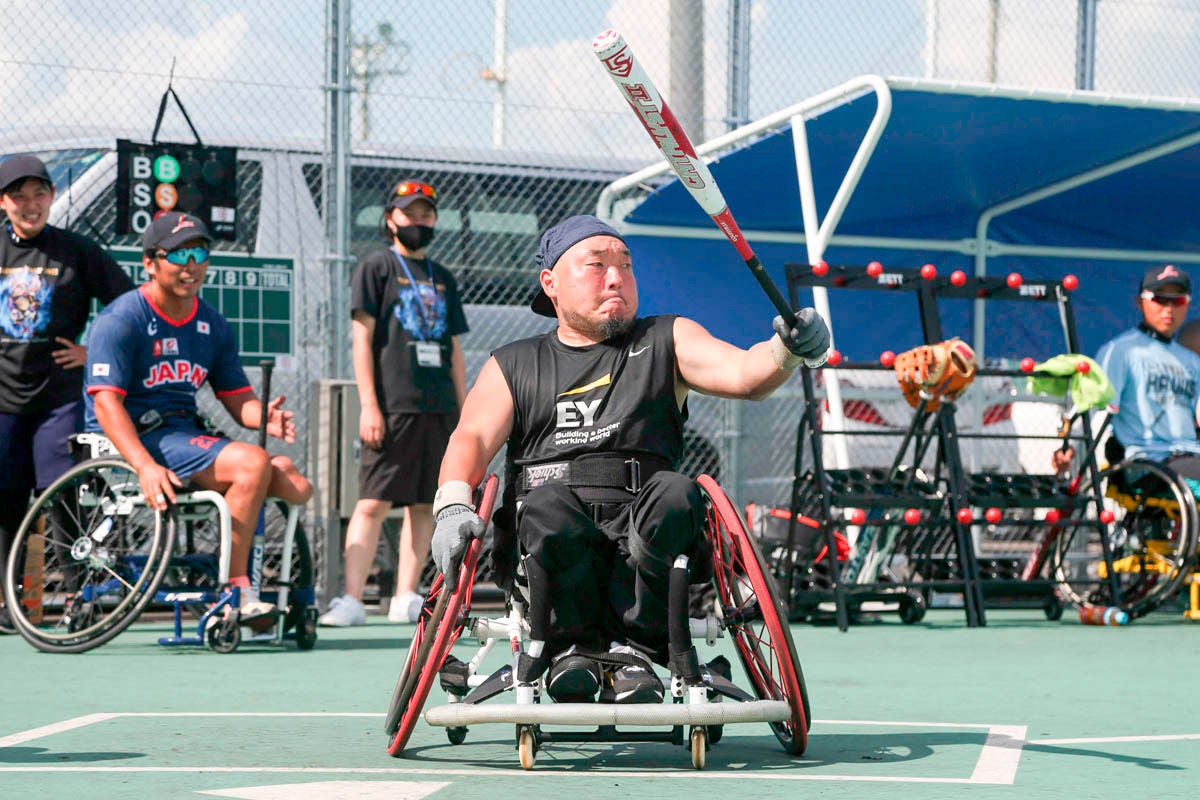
(91, 557)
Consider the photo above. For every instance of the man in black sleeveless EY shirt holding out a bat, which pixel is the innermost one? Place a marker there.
(593, 416)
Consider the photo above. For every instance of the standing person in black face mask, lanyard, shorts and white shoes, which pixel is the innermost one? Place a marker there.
(411, 376)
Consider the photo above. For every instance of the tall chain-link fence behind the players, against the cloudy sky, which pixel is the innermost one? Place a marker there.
(502, 106)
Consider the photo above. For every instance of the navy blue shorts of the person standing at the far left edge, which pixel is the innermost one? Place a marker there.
(34, 447)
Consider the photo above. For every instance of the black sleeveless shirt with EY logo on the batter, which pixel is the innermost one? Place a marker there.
(617, 396)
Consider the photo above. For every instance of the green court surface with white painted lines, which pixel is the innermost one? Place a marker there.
(1023, 708)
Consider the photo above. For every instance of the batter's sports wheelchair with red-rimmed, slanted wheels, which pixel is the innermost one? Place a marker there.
(746, 607)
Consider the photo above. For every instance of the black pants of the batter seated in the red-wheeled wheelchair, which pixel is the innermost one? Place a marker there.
(608, 566)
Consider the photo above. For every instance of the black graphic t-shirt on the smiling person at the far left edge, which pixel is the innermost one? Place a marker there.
(46, 290)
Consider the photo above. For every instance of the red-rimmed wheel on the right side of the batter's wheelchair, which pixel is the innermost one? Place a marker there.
(755, 618)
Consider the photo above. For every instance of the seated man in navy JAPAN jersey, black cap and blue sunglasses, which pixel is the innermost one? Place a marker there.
(149, 353)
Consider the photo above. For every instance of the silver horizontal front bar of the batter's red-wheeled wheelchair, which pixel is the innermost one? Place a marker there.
(457, 715)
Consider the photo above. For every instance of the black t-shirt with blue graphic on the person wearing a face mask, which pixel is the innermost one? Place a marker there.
(407, 315)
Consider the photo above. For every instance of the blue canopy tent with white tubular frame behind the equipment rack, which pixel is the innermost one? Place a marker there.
(981, 178)
